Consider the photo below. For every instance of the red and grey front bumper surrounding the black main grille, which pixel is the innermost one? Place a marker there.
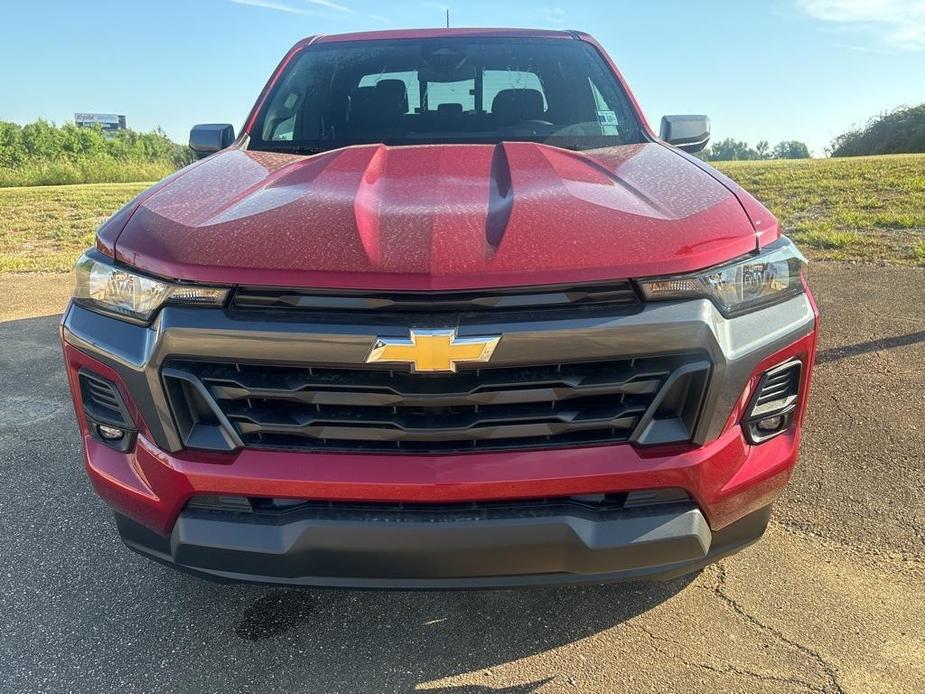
(727, 479)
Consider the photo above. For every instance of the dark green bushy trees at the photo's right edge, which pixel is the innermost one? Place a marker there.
(896, 132)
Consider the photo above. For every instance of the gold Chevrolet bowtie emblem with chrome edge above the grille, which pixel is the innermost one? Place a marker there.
(433, 350)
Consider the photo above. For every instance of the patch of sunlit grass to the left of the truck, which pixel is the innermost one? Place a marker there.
(44, 229)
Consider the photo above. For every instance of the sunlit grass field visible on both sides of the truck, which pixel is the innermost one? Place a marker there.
(866, 209)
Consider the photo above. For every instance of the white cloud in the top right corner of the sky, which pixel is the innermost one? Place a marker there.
(898, 23)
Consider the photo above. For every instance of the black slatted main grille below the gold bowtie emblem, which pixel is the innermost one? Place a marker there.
(644, 400)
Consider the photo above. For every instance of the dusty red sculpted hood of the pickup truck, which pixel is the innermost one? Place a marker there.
(436, 217)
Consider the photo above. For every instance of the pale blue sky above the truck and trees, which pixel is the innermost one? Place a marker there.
(782, 69)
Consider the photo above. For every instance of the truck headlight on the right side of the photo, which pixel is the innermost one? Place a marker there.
(747, 284)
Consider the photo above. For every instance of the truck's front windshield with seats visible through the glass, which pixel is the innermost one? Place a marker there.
(432, 91)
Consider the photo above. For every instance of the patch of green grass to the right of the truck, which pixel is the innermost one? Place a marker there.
(868, 209)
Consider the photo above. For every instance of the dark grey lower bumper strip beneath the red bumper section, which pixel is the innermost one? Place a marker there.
(415, 550)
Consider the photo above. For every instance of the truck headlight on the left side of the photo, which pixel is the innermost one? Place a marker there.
(105, 287)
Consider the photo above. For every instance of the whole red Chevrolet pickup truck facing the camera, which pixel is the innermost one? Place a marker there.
(446, 313)
